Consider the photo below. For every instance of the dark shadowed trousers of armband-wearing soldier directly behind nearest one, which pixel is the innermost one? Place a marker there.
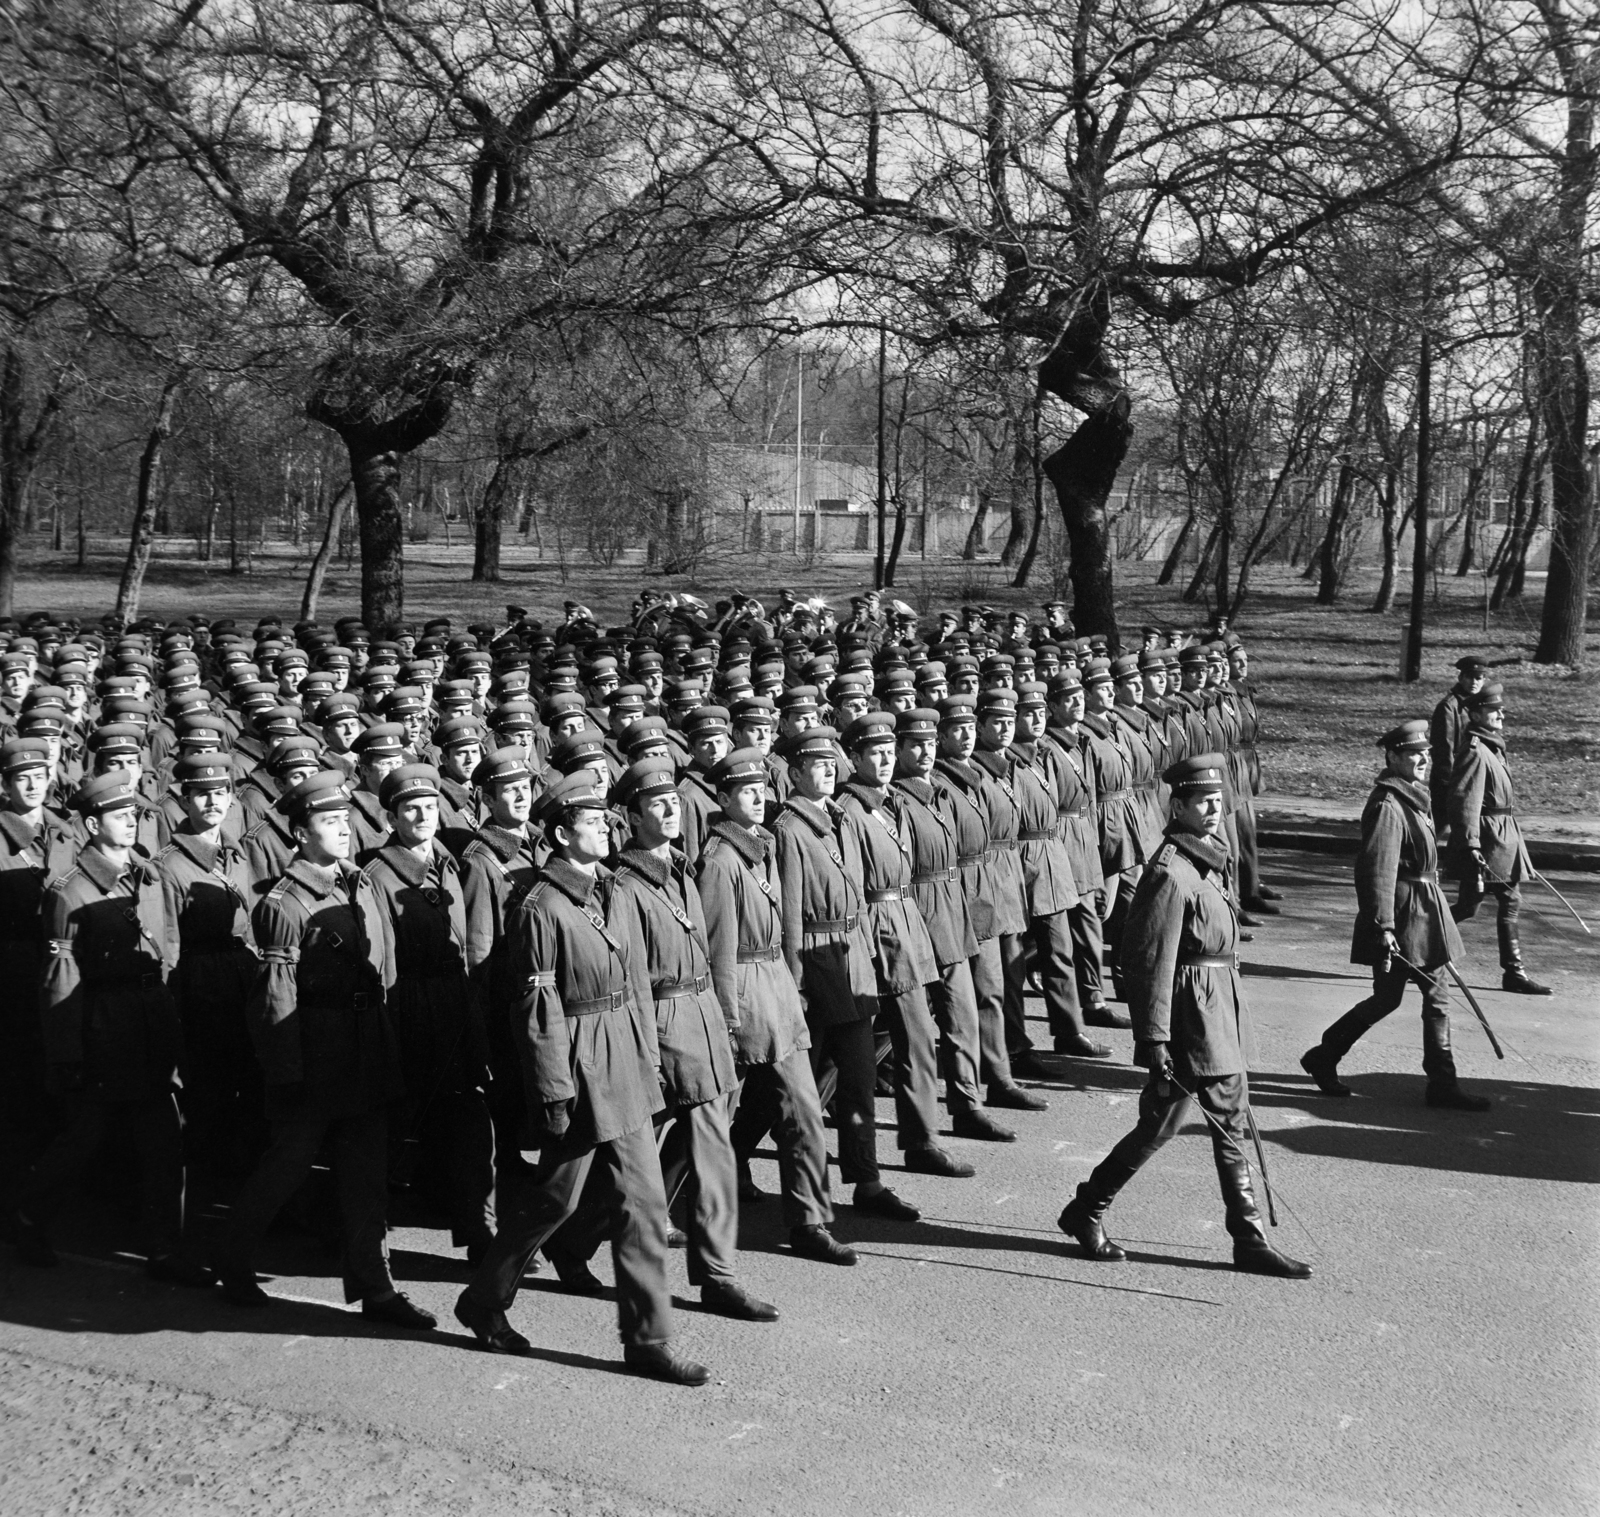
(361, 1166)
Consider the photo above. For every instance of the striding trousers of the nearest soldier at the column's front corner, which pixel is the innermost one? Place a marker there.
(638, 1227)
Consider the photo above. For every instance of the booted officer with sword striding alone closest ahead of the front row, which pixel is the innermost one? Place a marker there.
(1182, 967)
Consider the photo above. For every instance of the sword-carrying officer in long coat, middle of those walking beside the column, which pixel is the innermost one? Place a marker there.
(1401, 916)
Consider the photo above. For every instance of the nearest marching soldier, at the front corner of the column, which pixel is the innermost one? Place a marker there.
(590, 1055)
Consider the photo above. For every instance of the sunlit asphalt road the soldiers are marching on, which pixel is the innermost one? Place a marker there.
(1444, 1359)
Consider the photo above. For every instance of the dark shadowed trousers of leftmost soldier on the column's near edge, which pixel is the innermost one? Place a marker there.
(156, 1134)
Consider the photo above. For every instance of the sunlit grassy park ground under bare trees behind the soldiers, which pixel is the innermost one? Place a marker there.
(1327, 674)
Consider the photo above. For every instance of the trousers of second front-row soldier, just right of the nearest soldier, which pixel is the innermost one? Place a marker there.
(698, 1153)
